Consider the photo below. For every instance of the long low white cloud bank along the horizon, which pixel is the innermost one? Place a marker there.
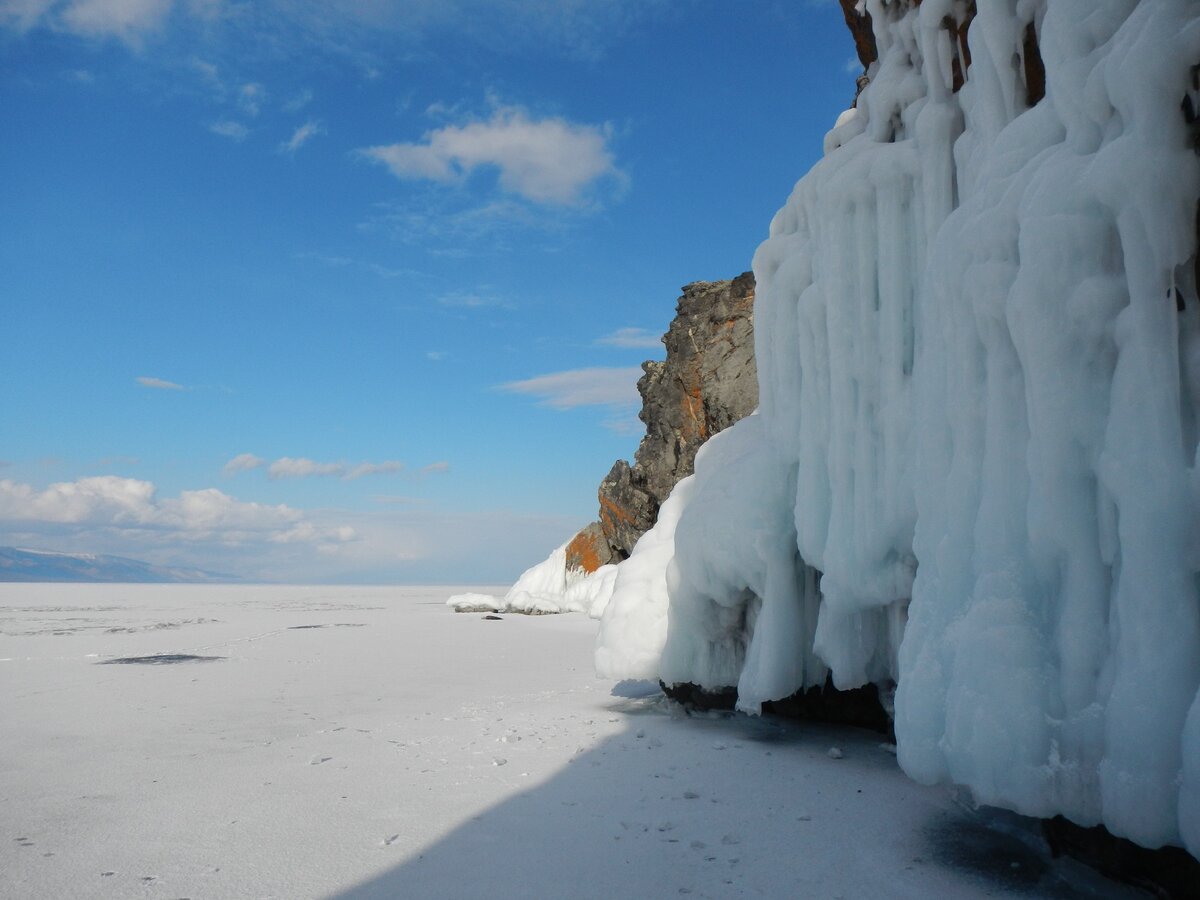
(406, 541)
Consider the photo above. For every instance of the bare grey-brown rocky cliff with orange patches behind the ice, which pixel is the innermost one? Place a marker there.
(707, 382)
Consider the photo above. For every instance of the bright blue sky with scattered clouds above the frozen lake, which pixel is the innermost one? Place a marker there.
(358, 291)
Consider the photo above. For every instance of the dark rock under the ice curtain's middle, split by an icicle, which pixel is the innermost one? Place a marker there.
(860, 707)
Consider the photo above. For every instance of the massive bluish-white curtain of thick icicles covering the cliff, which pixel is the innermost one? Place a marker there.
(980, 364)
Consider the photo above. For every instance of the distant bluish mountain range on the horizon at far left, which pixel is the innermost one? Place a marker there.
(31, 566)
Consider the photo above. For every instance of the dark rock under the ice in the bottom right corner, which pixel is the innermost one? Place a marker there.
(1169, 873)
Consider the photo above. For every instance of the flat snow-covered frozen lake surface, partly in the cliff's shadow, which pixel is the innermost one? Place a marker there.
(302, 742)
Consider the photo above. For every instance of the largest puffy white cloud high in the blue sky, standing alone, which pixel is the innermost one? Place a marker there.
(547, 161)
